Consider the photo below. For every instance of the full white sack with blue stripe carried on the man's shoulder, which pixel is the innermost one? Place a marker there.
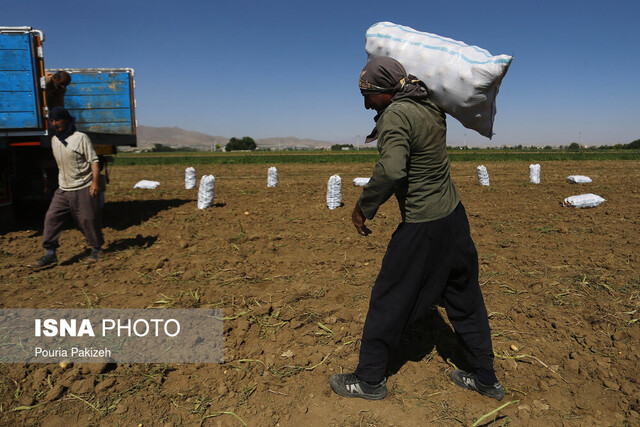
(462, 80)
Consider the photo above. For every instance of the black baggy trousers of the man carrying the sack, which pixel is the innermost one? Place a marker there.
(423, 263)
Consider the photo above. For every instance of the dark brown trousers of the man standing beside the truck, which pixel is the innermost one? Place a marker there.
(78, 206)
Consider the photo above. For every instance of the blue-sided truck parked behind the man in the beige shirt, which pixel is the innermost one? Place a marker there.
(101, 99)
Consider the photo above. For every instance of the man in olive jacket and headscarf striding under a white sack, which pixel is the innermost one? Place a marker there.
(431, 255)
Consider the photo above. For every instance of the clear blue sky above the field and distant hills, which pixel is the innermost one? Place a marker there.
(289, 68)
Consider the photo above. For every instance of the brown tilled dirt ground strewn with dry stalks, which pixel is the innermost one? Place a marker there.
(562, 286)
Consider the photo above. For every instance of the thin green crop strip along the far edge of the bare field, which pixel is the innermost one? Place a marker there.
(368, 156)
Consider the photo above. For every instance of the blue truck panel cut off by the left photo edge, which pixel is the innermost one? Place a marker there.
(19, 85)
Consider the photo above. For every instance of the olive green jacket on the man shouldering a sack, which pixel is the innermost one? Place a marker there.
(413, 163)
